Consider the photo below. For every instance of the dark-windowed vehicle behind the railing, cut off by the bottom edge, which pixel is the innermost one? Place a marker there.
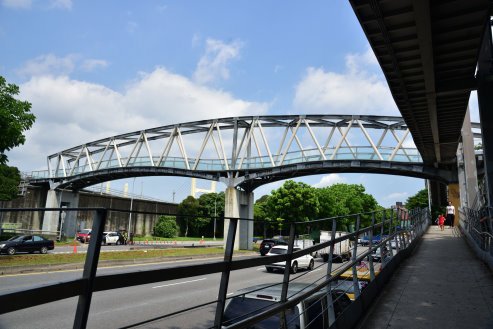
(309, 313)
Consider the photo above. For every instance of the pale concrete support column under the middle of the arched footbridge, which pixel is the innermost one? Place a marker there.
(239, 204)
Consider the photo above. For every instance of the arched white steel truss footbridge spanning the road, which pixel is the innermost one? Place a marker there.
(246, 152)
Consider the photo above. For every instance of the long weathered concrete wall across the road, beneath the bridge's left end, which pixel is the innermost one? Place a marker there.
(142, 223)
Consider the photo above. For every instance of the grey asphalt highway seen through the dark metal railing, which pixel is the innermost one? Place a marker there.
(121, 307)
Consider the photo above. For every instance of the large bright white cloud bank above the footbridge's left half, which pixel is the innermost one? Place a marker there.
(71, 112)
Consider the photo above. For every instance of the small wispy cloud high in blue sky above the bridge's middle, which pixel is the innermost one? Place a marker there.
(213, 65)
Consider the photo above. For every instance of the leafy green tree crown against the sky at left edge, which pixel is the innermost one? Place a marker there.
(15, 118)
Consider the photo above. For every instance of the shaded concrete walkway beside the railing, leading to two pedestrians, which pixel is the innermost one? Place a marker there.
(442, 285)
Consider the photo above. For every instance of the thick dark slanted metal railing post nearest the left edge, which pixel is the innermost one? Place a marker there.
(90, 268)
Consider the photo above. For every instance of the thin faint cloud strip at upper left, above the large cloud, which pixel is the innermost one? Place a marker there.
(50, 64)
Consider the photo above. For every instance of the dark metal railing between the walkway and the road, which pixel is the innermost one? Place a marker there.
(396, 228)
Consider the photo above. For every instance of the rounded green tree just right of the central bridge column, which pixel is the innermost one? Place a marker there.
(293, 202)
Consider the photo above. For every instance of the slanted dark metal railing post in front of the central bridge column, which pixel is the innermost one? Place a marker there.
(223, 287)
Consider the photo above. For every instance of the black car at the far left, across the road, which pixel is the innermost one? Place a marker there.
(26, 243)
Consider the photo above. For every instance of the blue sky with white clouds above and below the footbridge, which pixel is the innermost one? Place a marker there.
(93, 69)
